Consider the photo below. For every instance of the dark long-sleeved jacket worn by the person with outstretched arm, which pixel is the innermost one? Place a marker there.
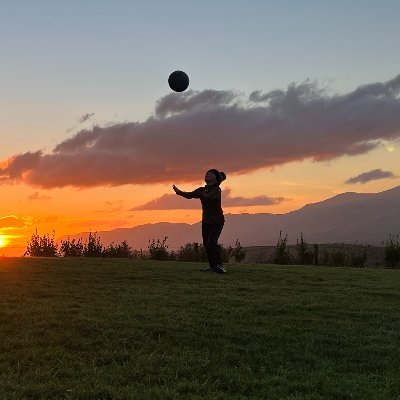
(210, 197)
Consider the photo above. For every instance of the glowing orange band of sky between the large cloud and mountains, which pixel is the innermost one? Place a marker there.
(69, 210)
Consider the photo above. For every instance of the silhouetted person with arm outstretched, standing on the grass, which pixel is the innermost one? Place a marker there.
(212, 216)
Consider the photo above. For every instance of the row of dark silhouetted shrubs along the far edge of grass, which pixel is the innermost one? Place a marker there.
(305, 253)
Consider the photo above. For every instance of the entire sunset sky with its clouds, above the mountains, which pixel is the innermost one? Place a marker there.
(296, 101)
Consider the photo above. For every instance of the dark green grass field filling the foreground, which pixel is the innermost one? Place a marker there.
(123, 329)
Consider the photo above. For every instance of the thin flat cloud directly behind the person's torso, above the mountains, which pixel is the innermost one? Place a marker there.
(174, 202)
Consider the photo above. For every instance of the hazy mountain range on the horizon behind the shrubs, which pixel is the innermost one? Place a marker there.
(345, 218)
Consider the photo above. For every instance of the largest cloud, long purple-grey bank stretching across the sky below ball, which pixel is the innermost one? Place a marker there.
(193, 131)
